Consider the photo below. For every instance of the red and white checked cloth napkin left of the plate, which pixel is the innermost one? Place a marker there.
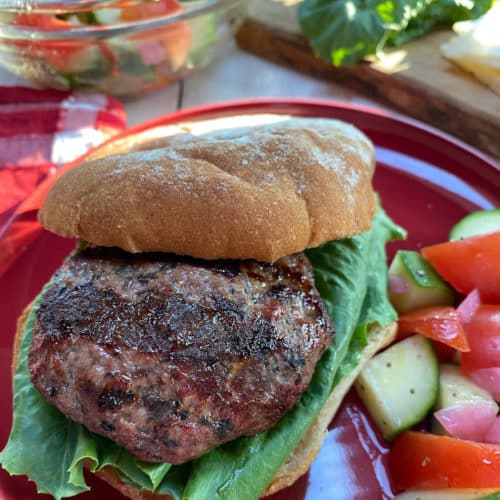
(41, 131)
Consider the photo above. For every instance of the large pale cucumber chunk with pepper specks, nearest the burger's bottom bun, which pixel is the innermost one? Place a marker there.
(400, 385)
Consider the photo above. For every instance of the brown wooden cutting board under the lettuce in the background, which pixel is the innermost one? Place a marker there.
(414, 79)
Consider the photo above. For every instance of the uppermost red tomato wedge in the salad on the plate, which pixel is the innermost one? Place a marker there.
(469, 263)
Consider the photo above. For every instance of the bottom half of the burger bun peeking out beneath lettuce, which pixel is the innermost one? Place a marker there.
(300, 460)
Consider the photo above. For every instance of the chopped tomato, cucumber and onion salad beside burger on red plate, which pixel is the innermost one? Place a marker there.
(434, 393)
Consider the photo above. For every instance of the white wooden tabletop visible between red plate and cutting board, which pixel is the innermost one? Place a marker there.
(235, 74)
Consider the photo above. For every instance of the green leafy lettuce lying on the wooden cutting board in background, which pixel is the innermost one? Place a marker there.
(346, 32)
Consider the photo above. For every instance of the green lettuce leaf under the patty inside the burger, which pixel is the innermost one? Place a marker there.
(351, 276)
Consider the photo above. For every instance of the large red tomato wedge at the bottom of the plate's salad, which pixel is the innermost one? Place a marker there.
(420, 460)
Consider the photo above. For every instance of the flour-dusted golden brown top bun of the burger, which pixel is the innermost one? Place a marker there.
(257, 192)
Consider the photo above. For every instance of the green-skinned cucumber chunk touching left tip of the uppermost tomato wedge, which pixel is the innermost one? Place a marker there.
(415, 284)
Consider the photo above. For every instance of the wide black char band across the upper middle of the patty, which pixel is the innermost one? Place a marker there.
(169, 325)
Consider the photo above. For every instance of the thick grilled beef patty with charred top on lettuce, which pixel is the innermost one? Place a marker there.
(171, 357)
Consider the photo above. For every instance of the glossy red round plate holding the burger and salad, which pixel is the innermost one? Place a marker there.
(427, 182)
